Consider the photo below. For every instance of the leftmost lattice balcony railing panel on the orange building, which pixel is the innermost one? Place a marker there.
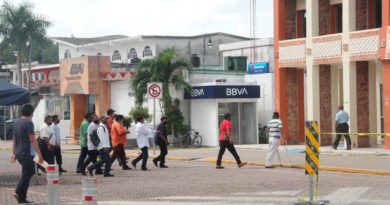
(292, 53)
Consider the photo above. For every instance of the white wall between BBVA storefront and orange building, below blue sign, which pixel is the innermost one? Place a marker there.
(265, 105)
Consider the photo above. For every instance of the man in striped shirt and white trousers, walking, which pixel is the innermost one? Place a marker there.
(275, 133)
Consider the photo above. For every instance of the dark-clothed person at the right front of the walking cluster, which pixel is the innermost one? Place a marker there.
(163, 143)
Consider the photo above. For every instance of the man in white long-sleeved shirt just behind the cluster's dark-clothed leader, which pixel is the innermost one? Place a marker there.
(143, 142)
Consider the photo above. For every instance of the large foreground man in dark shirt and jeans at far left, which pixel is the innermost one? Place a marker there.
(24, 148)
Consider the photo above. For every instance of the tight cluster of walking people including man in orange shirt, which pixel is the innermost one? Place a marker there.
(111, 135)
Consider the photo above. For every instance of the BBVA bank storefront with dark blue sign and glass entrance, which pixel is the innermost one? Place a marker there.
(208, 103)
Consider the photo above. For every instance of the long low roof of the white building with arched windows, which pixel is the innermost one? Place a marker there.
(83, 41)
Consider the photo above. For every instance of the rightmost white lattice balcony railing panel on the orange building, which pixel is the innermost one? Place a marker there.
(364, 45)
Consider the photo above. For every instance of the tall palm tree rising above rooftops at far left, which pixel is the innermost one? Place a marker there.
(18, 25)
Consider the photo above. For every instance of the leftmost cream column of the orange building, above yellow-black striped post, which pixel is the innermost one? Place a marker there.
(312, 71)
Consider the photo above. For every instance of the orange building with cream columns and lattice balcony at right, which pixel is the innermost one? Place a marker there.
(330, 53)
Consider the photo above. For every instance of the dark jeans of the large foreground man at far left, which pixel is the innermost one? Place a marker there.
(28, 170)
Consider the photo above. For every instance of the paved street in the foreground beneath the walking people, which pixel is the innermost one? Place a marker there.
(198, 182)
